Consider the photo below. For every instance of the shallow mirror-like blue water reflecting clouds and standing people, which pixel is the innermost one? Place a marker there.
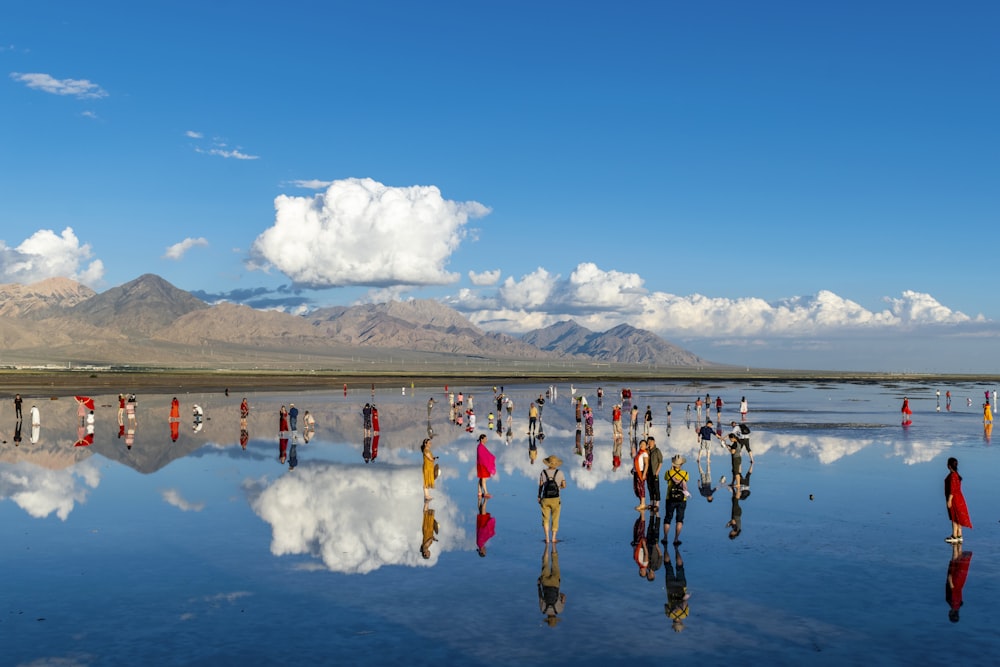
(200, 552)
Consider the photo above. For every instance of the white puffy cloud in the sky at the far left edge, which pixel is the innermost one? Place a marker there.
(47, 255)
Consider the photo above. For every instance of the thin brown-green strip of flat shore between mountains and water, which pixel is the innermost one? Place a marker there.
(89, 381)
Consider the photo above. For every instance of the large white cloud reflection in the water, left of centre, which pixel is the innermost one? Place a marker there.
(354, 519)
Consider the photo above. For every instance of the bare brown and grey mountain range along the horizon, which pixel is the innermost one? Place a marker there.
(149, 322)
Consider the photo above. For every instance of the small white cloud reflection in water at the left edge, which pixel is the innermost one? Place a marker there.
(41, 492)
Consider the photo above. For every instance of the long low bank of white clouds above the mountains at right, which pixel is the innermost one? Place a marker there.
(600, 299)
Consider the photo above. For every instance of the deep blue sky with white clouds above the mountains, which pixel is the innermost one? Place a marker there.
(783, 184)
